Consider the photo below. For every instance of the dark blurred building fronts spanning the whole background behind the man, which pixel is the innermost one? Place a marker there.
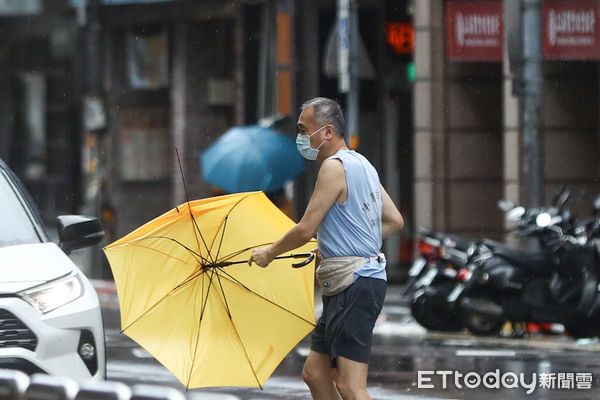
(438, 117)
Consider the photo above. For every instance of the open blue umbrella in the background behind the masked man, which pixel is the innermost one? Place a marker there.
(248, 158)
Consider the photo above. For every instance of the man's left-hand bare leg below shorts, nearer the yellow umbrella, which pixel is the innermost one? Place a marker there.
(318, 375)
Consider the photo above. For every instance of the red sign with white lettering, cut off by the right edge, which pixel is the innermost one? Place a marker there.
(571, 29)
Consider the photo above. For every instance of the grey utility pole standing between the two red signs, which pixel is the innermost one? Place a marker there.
(531, 102)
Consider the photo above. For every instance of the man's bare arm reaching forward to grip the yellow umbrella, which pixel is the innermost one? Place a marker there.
(331, 181)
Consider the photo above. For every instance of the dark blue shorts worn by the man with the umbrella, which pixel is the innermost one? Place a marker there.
(346, 326)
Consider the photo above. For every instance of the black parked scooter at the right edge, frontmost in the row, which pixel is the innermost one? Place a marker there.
(558, 284)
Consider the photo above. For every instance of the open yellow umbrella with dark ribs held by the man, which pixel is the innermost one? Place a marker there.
(189, 298)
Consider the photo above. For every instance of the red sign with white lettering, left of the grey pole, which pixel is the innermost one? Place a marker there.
(474, 30)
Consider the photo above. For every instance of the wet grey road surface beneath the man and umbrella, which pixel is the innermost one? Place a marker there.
(408, 363)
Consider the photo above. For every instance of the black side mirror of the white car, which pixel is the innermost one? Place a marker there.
(77, 231)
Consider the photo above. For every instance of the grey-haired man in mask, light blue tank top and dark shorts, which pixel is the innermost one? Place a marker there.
(350, 212)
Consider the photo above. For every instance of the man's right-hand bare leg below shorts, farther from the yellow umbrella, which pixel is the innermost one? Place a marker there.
(351, 379)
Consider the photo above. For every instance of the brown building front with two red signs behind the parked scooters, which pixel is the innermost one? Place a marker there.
(469, 142)
